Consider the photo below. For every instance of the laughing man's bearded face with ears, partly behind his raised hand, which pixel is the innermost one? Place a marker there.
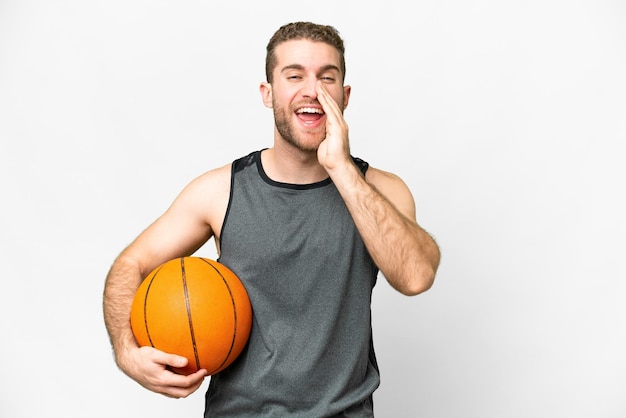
(299, 118)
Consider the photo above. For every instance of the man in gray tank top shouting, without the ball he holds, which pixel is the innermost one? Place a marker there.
(307, 228)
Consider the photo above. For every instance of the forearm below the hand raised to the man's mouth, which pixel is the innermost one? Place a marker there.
(405, 253)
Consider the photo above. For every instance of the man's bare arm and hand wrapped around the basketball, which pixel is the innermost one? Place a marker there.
(181, 230)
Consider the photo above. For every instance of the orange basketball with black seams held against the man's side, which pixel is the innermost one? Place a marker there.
(193, 307)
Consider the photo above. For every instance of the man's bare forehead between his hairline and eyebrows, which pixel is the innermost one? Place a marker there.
(306, 53)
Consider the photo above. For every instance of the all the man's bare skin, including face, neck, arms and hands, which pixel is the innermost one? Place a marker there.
(304, 151)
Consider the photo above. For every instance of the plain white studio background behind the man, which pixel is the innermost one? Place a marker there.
(506, 118)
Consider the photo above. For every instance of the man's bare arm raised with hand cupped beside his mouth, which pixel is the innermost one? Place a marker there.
(383, 210)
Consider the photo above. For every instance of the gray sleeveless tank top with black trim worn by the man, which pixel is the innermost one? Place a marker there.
(310, 281)
